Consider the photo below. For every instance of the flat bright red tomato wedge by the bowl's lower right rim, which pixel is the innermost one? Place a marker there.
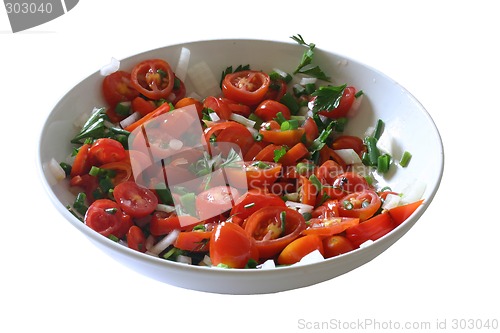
(371, 229)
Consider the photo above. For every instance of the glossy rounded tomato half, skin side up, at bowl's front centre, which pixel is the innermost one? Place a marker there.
(231, 246)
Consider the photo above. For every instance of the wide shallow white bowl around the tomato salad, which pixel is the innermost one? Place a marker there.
(406, 120)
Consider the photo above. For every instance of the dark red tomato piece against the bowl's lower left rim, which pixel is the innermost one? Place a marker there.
(107, 218)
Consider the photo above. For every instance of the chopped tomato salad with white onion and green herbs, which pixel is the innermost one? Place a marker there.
(250, 171)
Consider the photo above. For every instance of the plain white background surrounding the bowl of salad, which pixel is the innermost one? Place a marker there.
(445, 52)
